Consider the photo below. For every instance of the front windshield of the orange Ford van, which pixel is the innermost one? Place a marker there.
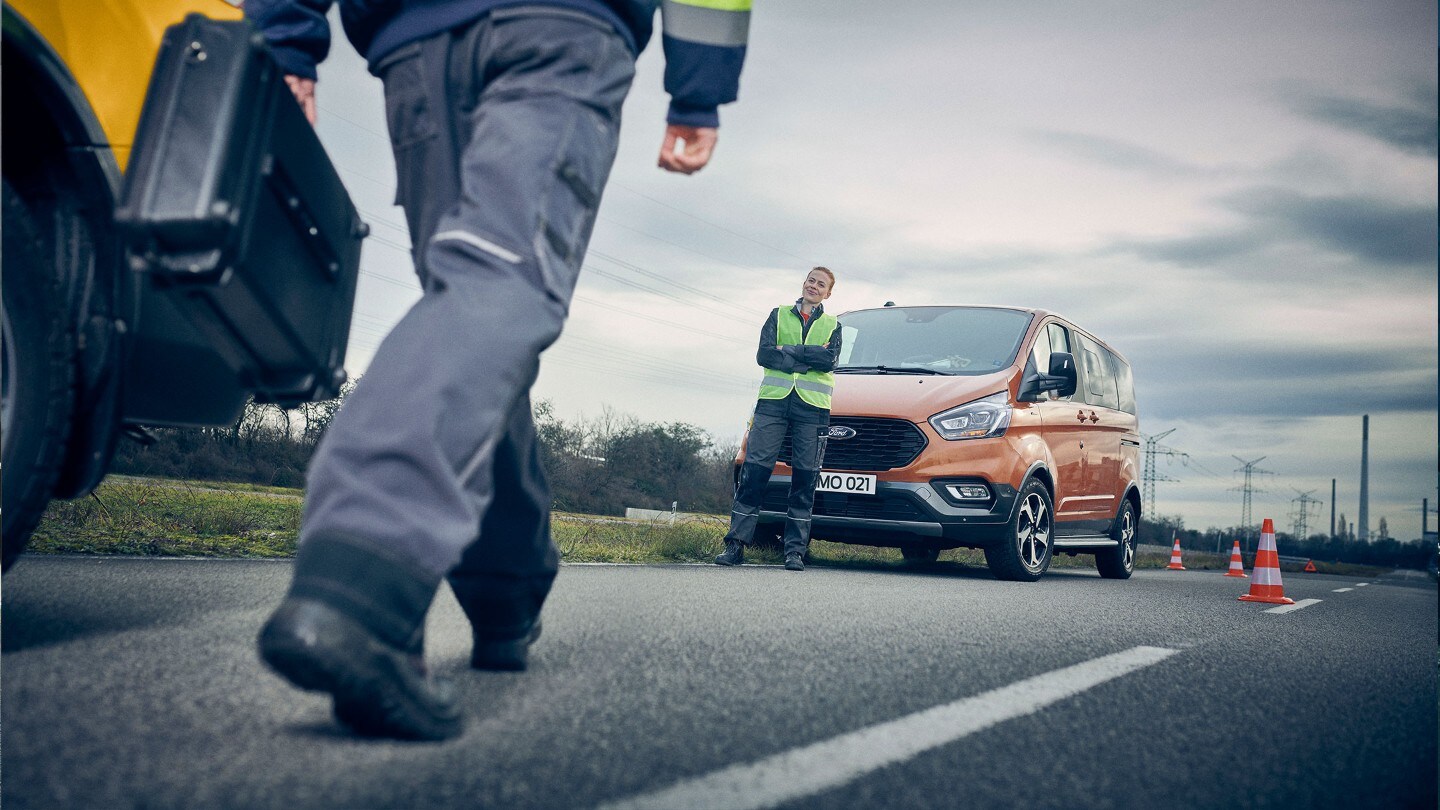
(931, 341)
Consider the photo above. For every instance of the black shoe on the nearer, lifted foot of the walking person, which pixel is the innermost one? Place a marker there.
(378, 690)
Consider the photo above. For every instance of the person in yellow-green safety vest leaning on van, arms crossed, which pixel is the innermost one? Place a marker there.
(798, 351)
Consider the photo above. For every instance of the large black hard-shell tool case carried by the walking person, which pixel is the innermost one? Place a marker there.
(246, 239)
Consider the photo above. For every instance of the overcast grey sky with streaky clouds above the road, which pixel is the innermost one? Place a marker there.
(1239, 197)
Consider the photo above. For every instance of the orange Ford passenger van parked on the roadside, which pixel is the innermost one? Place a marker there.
(1000, 429)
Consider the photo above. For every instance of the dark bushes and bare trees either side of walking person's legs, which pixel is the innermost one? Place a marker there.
(597, 466)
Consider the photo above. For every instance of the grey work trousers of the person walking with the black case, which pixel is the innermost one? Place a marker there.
(505, 133)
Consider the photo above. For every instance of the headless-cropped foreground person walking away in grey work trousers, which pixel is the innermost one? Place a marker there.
(505, 122)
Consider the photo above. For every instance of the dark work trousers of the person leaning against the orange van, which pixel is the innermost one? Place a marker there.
(762, 449)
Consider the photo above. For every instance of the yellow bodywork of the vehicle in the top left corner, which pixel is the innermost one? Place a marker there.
(110, 48)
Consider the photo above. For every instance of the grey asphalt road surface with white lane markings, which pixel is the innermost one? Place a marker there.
(135, 684)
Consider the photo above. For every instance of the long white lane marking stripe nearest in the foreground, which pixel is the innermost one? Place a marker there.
(833, 763)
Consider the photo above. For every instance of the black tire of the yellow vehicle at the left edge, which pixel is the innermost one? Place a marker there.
(40, 386)
